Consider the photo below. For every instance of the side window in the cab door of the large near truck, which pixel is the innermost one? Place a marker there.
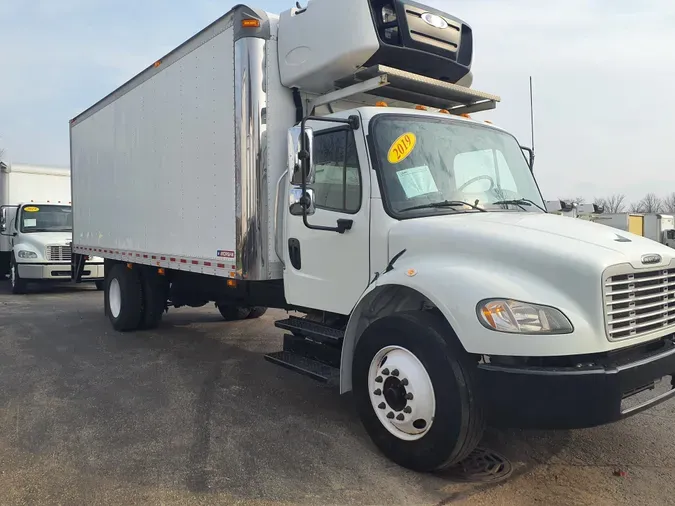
(337, 181)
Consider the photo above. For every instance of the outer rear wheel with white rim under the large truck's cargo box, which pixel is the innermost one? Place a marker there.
(124, 298)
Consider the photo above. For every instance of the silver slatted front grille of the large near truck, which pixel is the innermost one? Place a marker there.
(638, 303)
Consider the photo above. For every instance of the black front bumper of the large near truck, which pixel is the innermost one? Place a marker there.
(607, 389)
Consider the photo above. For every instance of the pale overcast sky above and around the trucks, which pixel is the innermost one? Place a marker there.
(604, 77)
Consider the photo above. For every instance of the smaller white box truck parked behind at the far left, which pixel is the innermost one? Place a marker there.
(36, 227)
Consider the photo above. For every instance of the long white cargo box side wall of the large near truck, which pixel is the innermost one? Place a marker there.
(154, 168)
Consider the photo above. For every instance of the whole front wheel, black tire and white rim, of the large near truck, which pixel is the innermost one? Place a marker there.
(415, 391)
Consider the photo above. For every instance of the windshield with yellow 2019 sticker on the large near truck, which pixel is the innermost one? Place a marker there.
(431, 166)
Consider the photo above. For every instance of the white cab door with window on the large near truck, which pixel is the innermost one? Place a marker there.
(329, 270)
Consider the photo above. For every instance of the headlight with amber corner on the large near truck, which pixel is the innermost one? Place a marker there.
(505, 315)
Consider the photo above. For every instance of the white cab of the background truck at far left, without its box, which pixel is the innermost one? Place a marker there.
(39, 236)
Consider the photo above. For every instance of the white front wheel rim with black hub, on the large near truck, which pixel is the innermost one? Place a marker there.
(401, 393)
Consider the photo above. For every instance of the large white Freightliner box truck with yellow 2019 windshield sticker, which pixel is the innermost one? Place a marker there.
(321, 161)
